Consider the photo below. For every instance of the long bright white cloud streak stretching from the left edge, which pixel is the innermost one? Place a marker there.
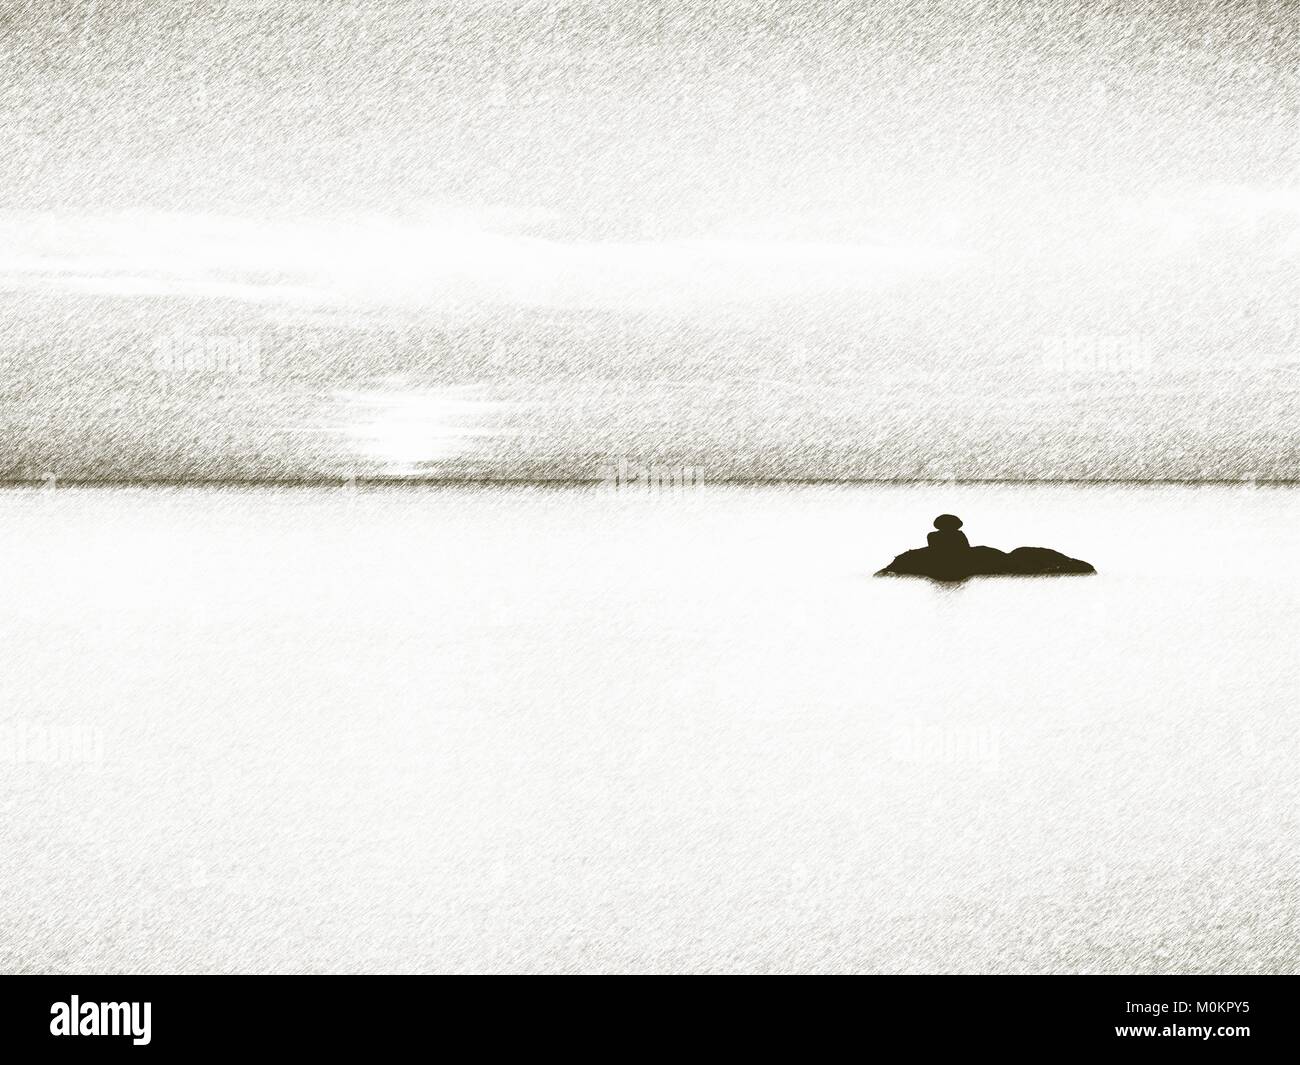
(436, 261)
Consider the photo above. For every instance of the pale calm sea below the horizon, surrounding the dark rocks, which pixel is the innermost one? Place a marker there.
(596, 730)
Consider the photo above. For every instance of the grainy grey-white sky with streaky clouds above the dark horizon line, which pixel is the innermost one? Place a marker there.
(531, 240)
